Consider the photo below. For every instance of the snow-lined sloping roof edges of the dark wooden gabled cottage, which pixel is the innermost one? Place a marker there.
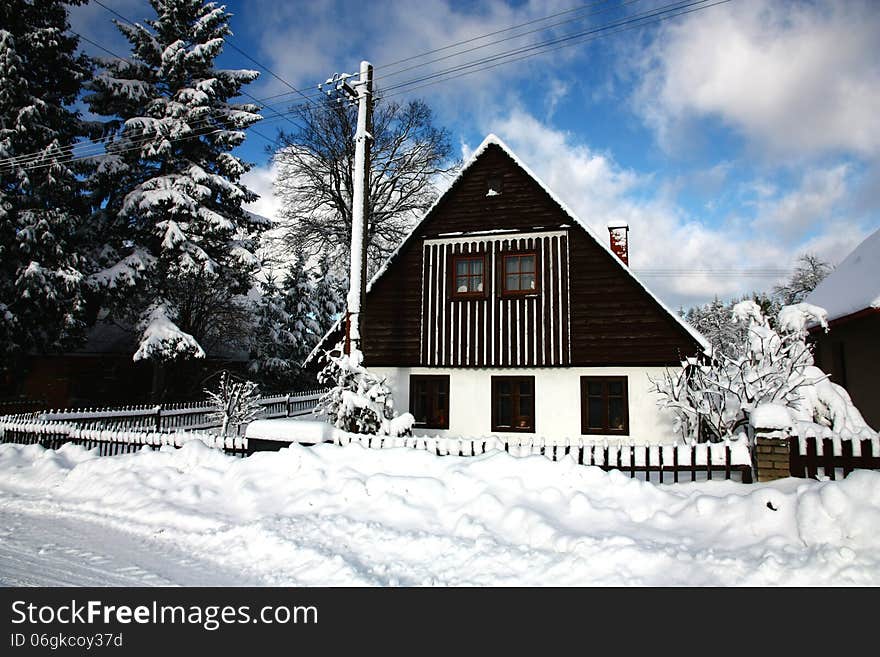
(491, 140)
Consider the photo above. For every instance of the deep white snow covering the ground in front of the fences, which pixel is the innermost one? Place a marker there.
(333, 515)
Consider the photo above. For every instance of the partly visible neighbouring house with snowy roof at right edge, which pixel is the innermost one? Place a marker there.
(850, 351)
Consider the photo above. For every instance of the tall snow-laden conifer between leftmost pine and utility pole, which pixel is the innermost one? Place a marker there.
(168, 194)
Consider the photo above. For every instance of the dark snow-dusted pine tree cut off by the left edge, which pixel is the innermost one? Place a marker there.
(42, 289)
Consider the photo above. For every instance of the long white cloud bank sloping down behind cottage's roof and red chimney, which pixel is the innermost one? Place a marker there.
(671, 248)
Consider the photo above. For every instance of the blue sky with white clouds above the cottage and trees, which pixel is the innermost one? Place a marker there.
(732, 138)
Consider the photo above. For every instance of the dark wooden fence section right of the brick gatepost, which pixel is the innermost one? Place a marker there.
(832, 457)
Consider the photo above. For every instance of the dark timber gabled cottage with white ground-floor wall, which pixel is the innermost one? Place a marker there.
(503, 313)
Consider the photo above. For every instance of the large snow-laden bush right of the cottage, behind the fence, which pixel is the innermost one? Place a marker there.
(713, 398)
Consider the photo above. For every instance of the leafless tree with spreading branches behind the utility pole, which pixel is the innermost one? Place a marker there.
(409, 156)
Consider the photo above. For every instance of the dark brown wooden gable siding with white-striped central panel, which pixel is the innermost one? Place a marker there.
(589, 311)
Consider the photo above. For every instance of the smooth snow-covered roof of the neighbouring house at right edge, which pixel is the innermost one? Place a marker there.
(854, 285)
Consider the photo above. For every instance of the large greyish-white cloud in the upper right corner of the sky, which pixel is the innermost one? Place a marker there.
(793, 78)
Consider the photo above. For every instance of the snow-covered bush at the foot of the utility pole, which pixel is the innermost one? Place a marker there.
(359, 401)
